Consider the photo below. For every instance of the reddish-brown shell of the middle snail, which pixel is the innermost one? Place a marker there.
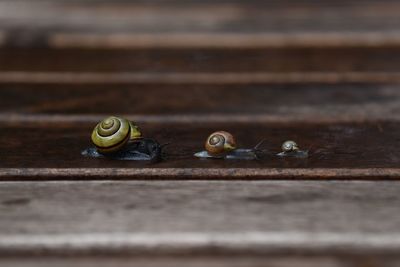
(220, 142)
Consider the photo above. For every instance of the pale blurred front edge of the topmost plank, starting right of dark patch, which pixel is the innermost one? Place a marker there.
(223, 40)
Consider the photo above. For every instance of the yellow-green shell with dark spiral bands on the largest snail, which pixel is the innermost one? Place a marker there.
(113, 133)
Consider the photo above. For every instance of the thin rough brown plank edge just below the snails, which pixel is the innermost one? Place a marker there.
(198, 173)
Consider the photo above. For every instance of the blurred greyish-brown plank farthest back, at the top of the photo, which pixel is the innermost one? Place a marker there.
(67, 23)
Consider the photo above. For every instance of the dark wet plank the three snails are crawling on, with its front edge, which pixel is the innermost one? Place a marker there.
(337, 151)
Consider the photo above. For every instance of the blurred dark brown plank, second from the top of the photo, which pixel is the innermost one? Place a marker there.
(304, 61)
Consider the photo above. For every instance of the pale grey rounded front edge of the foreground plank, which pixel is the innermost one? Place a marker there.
(263, 243)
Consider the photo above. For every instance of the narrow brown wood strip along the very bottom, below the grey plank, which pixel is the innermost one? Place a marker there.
(212, 261)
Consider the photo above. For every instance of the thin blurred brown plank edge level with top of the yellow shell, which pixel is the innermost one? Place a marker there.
(13, 119)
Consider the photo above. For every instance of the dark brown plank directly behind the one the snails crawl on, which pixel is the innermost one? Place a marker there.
(200, 102)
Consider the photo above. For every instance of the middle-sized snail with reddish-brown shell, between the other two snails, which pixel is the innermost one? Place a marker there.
(222, 145)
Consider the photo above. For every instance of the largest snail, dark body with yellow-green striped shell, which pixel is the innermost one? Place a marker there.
(121, 139)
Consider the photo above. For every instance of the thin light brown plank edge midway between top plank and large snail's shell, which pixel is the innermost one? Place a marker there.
(25, 77)
